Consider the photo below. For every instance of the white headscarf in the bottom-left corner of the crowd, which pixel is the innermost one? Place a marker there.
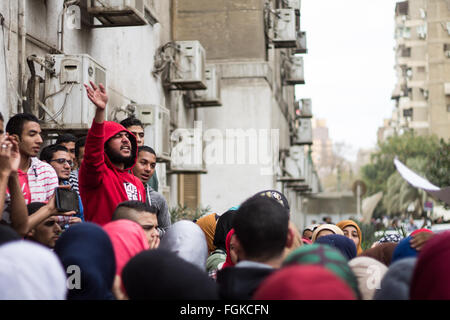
(30, 271)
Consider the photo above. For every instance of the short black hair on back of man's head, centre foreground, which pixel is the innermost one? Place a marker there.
(261, 225)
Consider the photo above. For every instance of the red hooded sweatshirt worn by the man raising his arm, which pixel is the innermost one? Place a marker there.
(102, 185)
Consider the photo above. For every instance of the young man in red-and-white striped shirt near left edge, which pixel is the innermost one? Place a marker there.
(38, 179)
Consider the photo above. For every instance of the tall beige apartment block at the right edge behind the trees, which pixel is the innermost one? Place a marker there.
(422, 92)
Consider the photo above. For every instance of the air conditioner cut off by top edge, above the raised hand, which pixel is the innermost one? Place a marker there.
(117, 13)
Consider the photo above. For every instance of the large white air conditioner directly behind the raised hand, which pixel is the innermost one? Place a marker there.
(66, 105)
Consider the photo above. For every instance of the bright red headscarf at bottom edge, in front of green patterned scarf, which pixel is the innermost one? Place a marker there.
(303, 282)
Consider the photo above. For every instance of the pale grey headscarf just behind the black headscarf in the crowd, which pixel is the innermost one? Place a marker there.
(188, 241)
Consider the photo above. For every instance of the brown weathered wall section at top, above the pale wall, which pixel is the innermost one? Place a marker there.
(227, 29)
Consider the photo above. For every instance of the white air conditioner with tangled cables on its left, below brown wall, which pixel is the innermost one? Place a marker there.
(187, 72)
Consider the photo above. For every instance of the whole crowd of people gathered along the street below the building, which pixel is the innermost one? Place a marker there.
(119, 242)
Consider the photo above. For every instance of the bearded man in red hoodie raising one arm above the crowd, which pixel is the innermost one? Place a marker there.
(110, 152)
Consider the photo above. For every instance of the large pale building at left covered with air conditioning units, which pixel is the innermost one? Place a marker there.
(212, 81)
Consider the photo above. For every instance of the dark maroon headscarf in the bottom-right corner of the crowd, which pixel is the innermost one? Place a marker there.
(431, 279)
